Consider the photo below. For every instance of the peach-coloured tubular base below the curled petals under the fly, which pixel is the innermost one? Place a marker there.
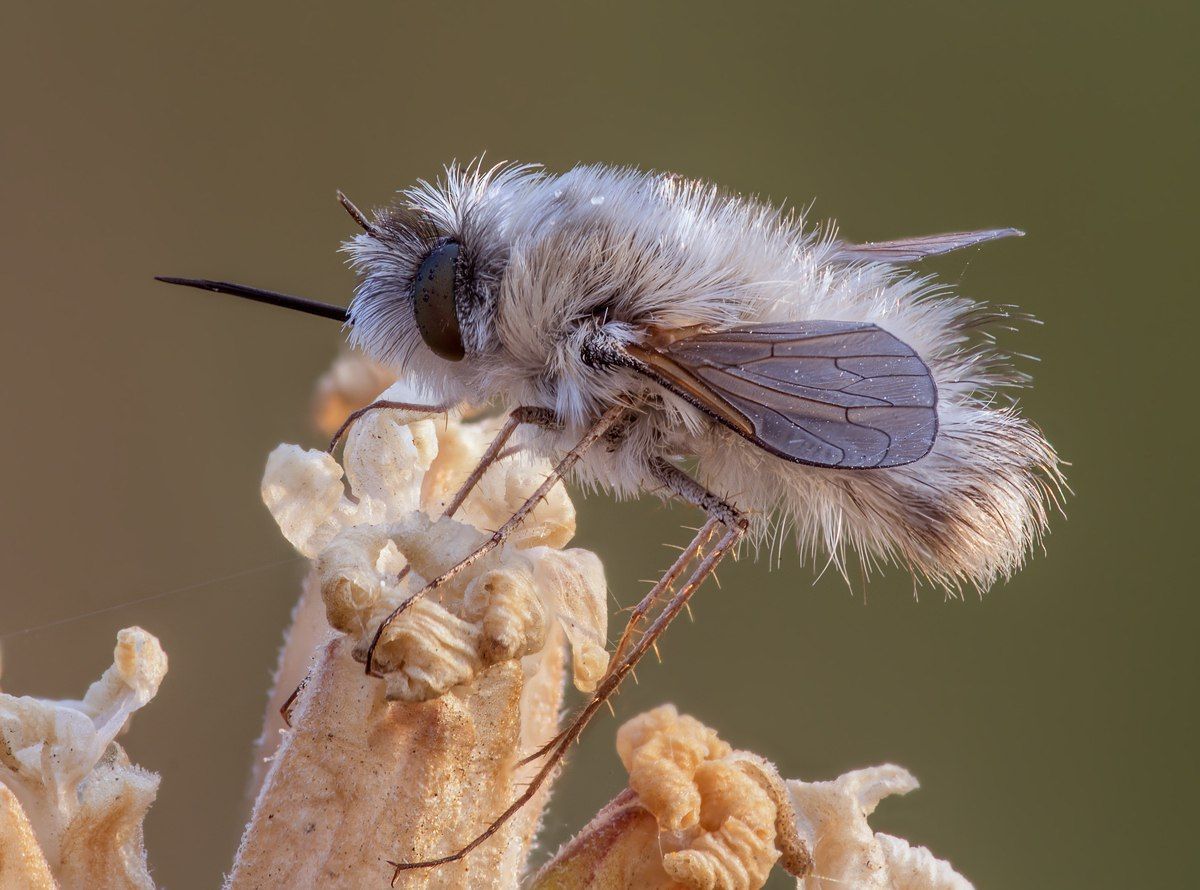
(359, 779)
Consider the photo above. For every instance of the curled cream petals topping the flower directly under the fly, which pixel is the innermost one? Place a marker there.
(376, 545)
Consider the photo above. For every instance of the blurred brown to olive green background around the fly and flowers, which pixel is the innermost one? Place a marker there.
(1051, 721)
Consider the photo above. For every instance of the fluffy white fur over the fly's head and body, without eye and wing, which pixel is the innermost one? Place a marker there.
(626, 250)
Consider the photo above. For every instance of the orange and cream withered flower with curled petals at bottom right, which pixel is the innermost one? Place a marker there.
(699, 815)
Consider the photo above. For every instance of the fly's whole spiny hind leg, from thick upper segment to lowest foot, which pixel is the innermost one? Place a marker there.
(721, 513)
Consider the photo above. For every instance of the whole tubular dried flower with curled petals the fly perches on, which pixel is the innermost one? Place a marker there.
(416, 766)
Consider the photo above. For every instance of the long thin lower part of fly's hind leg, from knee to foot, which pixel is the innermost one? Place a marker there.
(604, 691)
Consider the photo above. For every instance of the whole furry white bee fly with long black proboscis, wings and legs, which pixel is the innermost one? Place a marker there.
(808, 378)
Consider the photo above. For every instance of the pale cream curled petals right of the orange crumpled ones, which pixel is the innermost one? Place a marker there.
(849, 852)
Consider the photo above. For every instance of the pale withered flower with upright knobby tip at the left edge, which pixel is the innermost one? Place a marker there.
(74, 804)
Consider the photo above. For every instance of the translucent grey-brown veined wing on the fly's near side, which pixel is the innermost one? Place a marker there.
(830, 394)
